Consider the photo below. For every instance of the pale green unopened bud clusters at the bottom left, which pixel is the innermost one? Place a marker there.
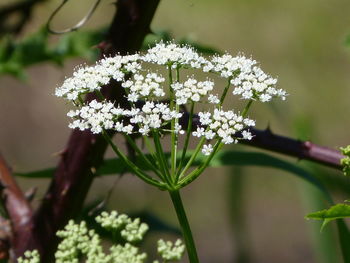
(78, 240)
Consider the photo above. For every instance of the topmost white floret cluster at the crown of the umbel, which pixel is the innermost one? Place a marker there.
(175, 55)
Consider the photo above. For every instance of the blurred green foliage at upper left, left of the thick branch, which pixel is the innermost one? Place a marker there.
(16, 56)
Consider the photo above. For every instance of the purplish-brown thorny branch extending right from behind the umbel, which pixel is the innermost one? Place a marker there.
(306, 150)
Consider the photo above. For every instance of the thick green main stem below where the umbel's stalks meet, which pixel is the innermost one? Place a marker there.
(185, 227)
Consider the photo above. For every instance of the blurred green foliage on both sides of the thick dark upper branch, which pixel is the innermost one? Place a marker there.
(16, 56)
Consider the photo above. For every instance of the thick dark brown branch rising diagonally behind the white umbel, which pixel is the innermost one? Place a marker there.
(85, 151)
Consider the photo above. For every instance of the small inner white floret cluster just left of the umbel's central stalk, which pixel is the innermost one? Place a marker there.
(144, 87)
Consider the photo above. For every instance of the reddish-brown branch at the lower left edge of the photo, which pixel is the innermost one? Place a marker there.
(18, 209)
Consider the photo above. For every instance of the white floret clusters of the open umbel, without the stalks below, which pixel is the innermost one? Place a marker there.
(245, 79)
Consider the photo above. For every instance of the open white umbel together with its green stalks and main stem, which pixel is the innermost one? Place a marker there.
(154, 108)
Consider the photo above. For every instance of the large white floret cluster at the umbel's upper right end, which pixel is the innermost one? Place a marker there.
(249, 80)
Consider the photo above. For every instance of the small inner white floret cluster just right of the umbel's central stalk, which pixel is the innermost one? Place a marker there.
(192, 90)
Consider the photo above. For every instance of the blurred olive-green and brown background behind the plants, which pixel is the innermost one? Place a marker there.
(301, 42)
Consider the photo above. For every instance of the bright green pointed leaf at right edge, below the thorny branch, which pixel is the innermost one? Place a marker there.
(335, 212)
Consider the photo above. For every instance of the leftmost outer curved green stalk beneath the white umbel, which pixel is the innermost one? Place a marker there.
(145, 177)
